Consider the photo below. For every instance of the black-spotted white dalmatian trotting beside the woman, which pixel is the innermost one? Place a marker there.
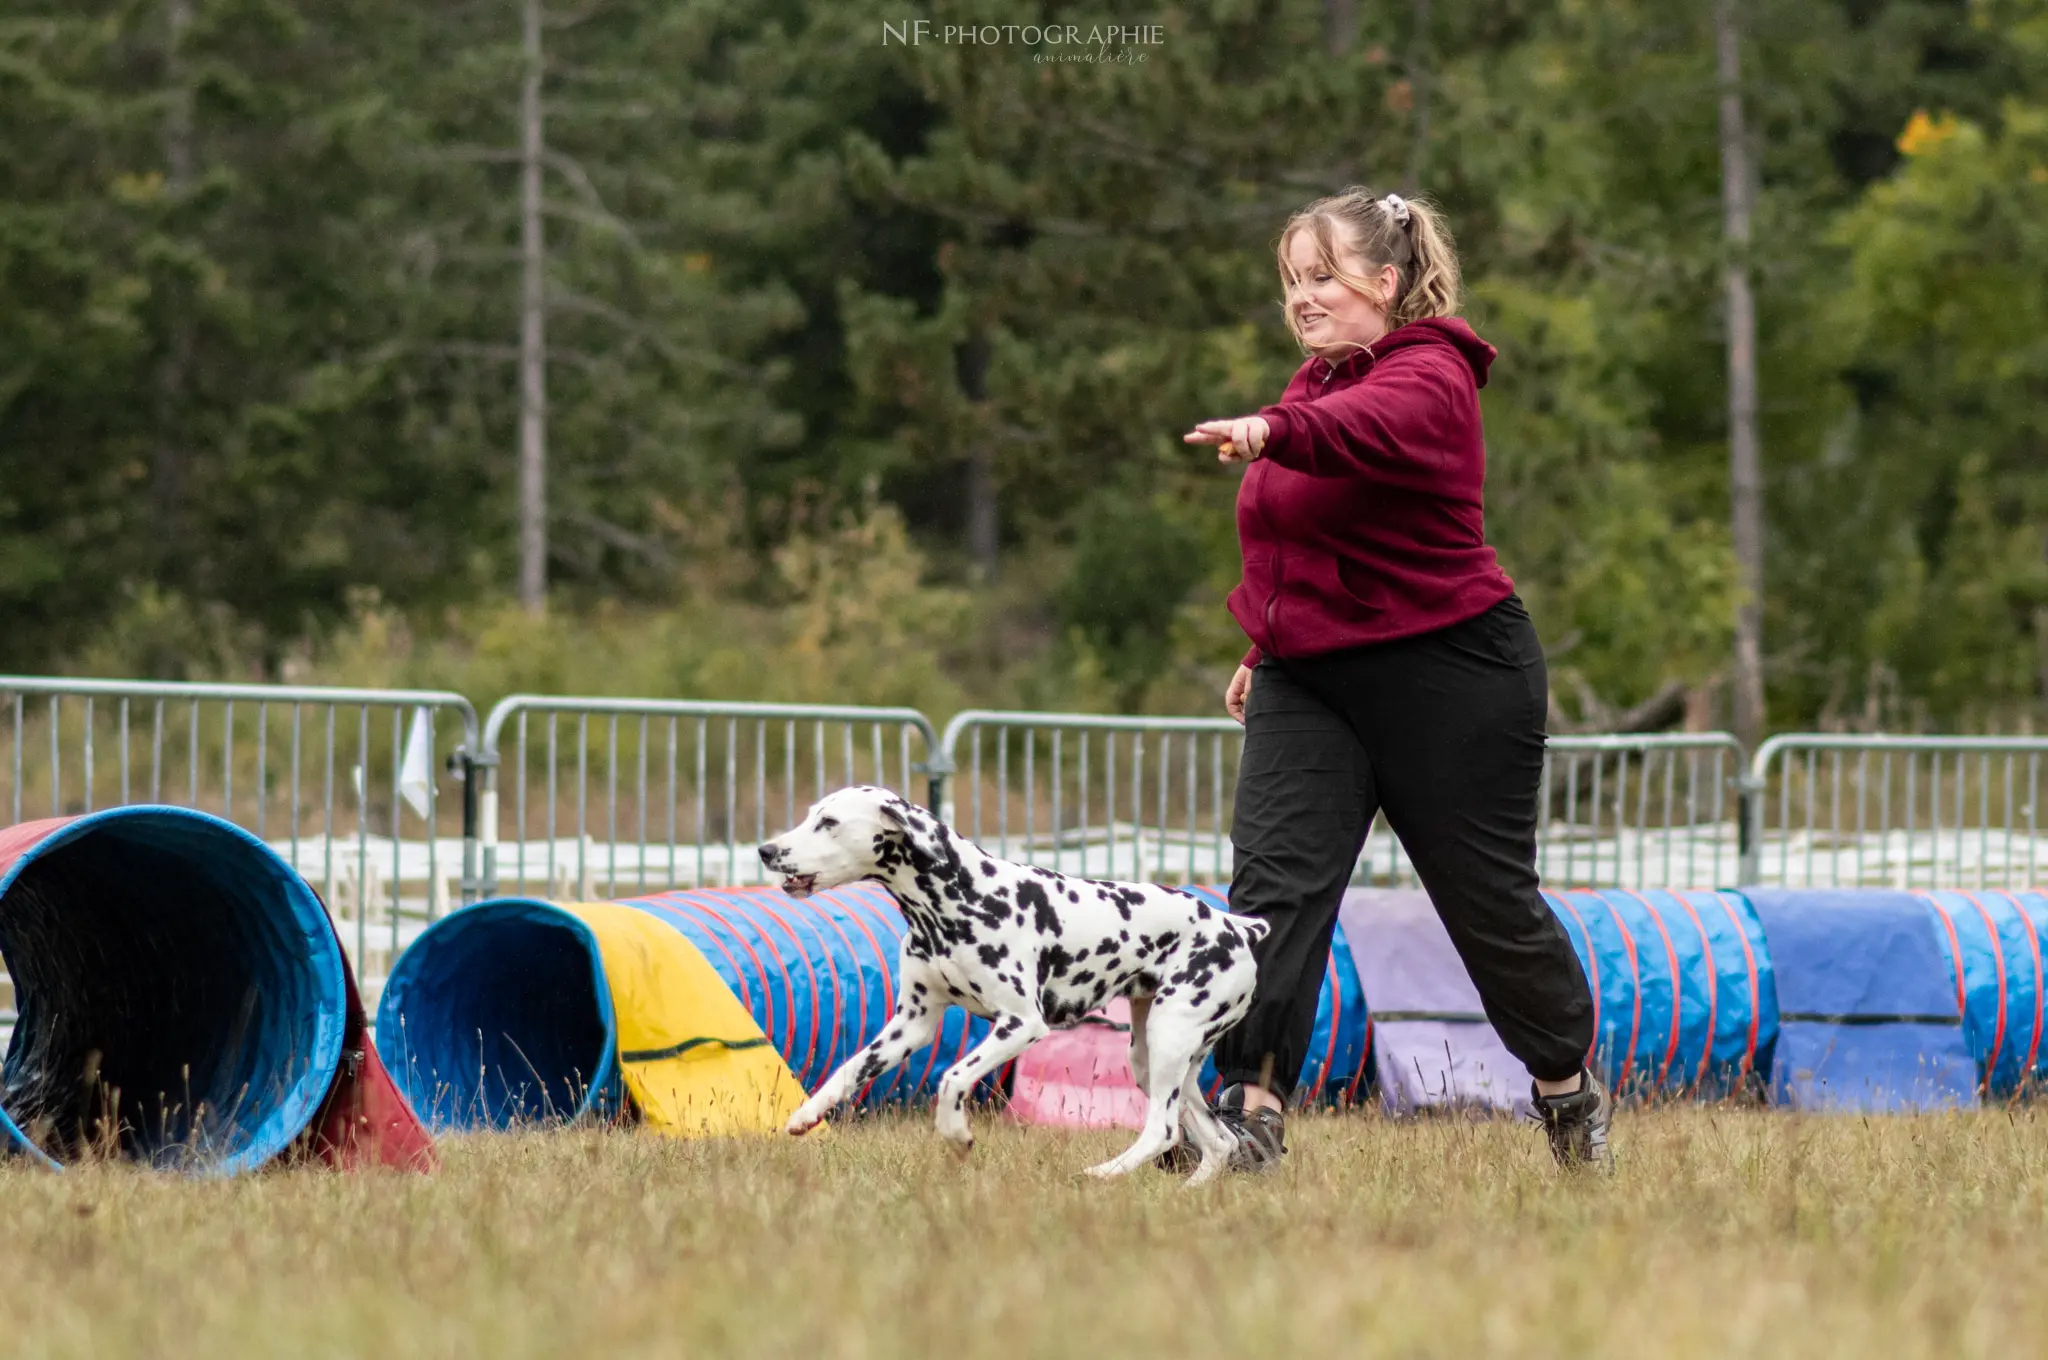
(1031, 951)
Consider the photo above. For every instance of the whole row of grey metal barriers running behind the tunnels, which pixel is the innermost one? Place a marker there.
(593, 798)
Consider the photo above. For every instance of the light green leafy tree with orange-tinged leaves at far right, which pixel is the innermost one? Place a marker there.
(1949, 310)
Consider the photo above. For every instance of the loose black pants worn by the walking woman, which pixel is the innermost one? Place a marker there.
(1445, 732)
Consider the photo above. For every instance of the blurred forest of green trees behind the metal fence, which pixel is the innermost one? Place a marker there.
(867, 364)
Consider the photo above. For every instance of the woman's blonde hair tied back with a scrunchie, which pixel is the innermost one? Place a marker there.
(1385, 230)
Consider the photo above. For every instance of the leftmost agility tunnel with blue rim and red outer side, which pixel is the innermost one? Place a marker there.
(185, 1003)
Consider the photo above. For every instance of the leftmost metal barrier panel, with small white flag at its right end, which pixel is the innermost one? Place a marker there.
(343, 783)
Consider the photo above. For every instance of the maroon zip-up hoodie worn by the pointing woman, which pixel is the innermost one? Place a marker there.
(1361, 519)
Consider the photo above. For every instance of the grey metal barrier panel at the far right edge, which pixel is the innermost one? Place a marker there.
(1897, 812)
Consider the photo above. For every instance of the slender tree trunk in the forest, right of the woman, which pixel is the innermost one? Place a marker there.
(1746, 480)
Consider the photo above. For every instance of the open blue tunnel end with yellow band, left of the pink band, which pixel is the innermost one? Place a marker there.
(706, 1011)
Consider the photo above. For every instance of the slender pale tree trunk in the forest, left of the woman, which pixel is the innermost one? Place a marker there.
(531, 337)
